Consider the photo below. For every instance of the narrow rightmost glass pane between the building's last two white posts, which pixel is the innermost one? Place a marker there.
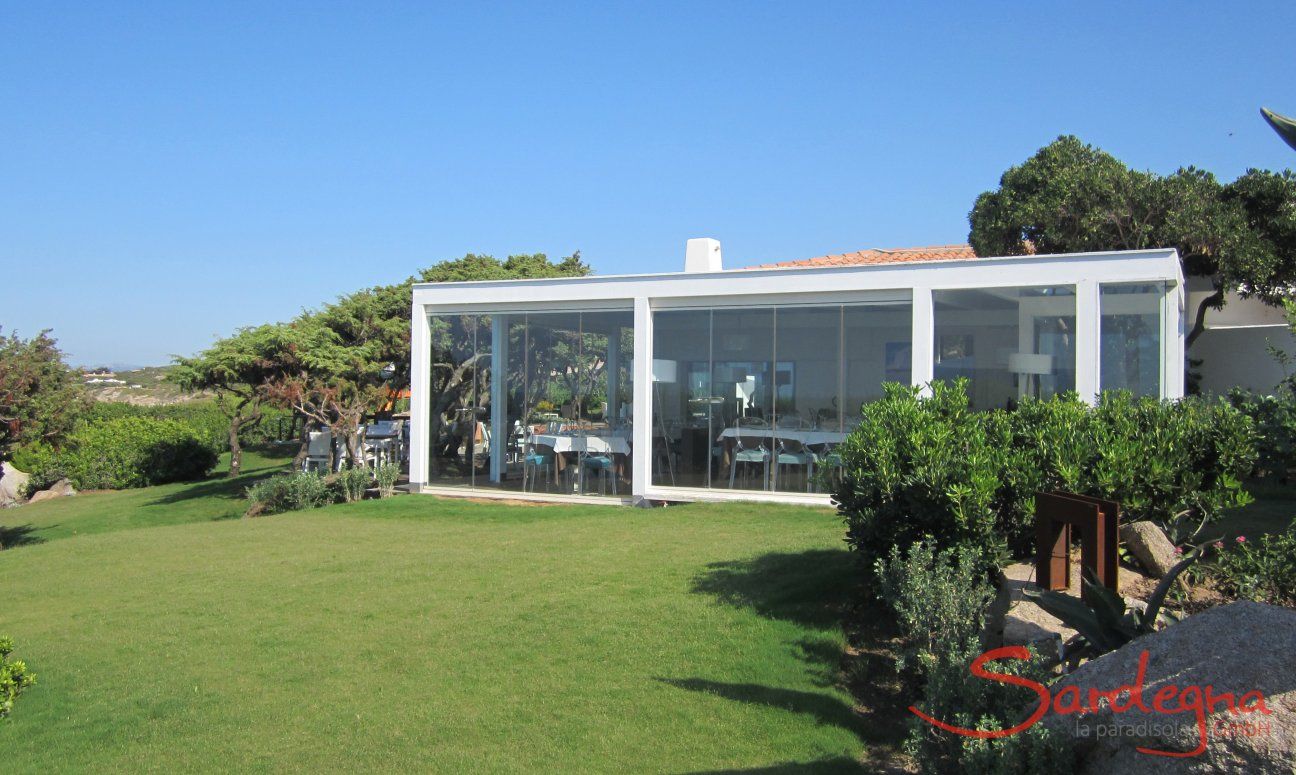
(1132, 335)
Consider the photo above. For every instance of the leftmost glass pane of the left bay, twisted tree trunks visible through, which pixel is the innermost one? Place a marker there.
(458, 399)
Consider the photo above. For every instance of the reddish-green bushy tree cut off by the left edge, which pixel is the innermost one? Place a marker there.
(41, 397)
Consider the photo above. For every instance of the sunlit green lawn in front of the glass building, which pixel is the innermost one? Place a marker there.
(426, 634)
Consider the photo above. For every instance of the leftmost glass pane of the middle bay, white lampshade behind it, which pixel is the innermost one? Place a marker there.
(688, 413)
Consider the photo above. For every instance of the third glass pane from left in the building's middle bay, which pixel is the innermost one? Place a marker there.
(808, 380)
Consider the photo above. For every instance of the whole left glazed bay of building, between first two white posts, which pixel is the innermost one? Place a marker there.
(558, 421)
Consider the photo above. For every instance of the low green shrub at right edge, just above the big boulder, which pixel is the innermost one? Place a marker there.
(1263, 571)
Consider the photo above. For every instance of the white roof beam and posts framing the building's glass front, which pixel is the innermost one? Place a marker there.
(645, 294)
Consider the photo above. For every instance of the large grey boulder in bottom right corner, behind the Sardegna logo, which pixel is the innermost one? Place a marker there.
(1245, 650)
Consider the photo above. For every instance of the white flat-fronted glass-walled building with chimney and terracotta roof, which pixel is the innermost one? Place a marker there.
(717, 386)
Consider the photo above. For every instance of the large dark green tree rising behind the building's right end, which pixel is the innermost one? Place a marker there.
(1074, 198)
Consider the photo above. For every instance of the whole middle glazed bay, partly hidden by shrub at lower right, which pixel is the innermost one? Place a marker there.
(756, 399)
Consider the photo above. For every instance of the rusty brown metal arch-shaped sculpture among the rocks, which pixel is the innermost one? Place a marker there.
(1058, 515)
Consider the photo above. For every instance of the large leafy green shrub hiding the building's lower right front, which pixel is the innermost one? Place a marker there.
(921, 467)
